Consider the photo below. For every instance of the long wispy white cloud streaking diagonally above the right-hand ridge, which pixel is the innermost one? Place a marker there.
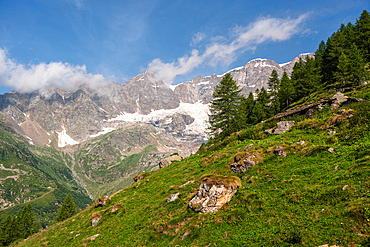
(220, 51)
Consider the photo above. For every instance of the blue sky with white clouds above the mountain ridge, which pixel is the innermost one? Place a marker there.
(66, 42)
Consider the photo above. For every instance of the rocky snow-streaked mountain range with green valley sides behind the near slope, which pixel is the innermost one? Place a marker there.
(92, 141)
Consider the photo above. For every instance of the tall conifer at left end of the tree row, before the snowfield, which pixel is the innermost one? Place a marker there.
(225, 109)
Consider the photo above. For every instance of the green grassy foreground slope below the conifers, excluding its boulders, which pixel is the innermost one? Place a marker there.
(310, 197)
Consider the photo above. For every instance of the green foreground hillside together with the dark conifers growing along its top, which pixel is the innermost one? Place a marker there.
(308, 186)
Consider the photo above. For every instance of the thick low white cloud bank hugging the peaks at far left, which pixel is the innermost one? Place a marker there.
(41, 76)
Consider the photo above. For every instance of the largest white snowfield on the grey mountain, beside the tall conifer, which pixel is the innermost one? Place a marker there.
(198, 111)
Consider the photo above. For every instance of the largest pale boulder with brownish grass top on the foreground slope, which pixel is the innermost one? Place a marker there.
(214, 192)
